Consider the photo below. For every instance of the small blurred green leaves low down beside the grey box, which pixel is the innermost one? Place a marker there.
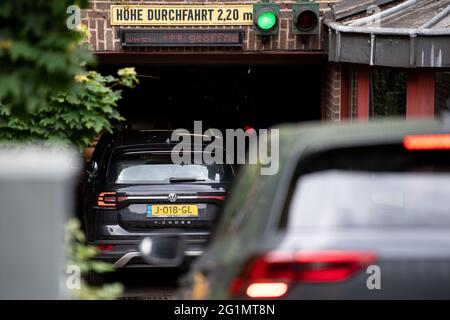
(78, 253)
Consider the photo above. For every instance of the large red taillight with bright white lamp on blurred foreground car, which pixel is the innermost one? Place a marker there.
(269, 276)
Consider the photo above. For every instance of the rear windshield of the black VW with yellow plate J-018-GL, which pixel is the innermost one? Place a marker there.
(159, 168)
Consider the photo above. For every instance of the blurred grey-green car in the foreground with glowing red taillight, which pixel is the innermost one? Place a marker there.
(356, 211)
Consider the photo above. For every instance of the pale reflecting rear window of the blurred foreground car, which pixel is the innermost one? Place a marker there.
(372, 187)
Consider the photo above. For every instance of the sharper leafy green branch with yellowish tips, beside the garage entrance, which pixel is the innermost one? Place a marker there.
(74, 117)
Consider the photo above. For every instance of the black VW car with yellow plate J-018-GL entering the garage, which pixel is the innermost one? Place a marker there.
(133, 189)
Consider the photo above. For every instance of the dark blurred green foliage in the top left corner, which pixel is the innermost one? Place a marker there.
(38, 53)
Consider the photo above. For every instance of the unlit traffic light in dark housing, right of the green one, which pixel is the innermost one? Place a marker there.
(305, 18)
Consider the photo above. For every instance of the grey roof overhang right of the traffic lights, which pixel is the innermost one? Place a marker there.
(359, 41)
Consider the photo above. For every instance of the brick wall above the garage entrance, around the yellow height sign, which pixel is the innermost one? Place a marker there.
(104, 37)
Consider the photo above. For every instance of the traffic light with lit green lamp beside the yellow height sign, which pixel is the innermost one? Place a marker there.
(266, 18)
